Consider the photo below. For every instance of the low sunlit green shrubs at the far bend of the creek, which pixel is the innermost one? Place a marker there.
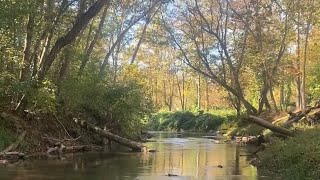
(185, 120)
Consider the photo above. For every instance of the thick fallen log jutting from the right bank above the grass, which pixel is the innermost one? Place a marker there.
(271, 126)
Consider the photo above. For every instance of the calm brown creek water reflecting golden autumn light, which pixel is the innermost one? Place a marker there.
(191, 157)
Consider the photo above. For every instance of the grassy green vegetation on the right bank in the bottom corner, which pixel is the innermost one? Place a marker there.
(294, 158)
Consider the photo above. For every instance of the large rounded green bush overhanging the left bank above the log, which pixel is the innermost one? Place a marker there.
(120, 106)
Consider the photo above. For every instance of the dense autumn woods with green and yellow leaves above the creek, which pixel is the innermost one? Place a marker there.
(114, 63)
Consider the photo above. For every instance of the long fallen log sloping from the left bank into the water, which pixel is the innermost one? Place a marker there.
(120, 140)
